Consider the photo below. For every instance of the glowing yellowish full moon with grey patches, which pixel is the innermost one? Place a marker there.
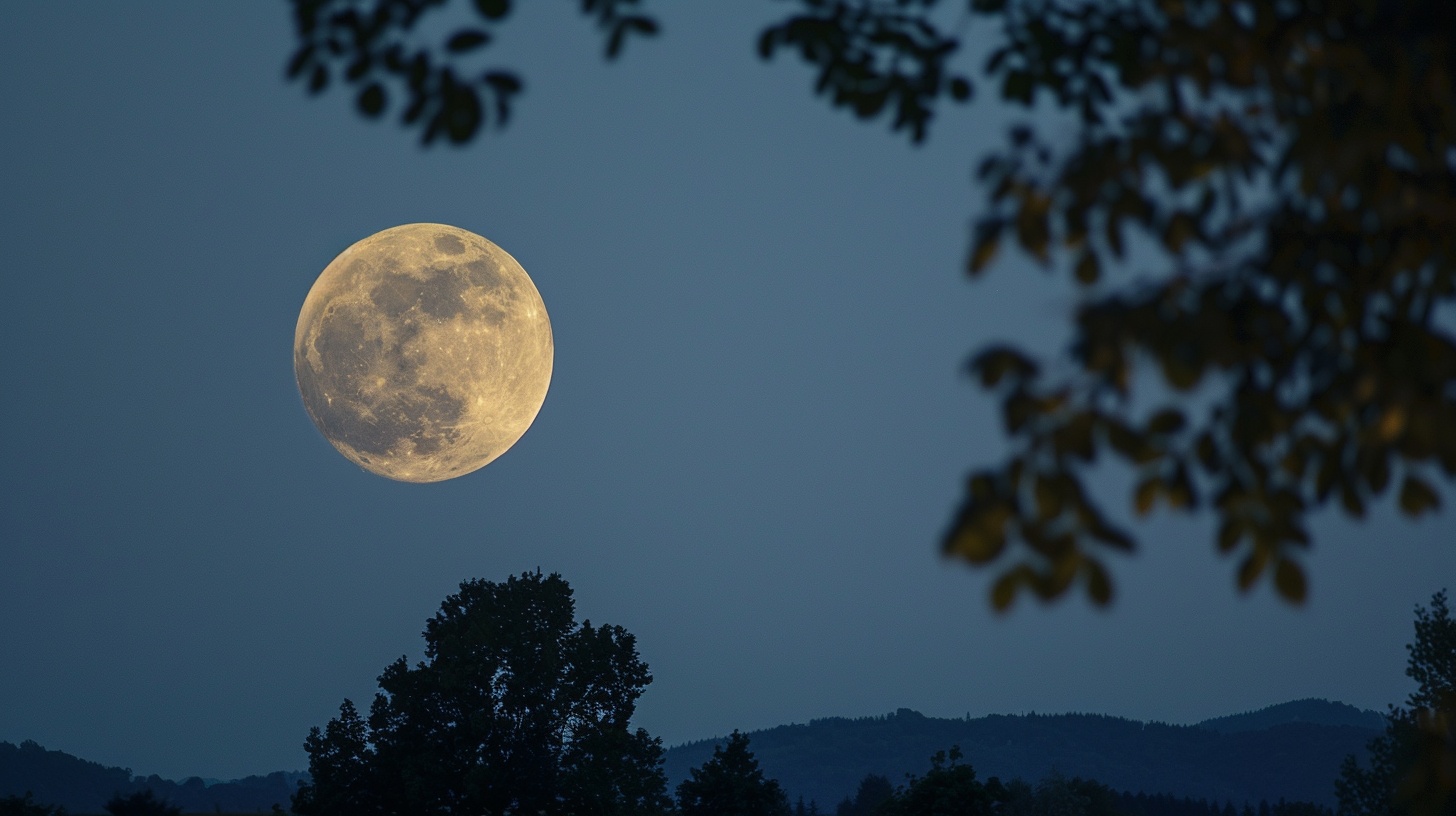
(423, 353)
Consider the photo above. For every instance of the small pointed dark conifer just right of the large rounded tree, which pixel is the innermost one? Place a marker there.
(732, 785)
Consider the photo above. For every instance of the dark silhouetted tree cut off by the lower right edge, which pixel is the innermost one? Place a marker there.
(1413, 767)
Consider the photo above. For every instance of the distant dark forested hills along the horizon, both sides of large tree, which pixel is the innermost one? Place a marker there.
(1281, 761)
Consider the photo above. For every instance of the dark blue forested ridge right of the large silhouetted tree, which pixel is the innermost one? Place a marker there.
(826, 760)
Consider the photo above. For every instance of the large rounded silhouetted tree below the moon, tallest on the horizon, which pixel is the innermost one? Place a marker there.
(516, 709)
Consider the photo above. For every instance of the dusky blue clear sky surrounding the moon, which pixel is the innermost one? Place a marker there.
(756, 431)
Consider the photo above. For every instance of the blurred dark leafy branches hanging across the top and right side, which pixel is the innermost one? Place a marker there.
(1291, 164)
